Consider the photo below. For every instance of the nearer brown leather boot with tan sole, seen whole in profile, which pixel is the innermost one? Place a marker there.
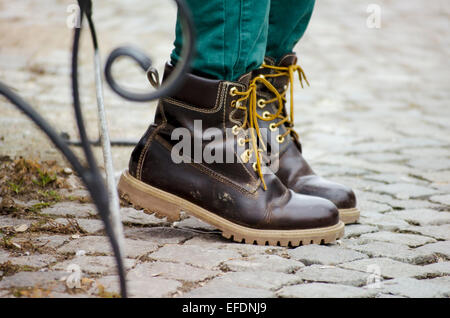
(229, 196)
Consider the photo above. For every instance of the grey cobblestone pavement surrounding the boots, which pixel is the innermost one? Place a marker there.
(376, 118)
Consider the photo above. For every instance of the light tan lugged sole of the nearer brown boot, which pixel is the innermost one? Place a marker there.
(164, 204)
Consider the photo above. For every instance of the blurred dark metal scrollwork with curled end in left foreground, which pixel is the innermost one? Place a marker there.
(105, 197)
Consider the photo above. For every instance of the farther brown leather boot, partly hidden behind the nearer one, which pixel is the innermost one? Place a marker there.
(293, 170)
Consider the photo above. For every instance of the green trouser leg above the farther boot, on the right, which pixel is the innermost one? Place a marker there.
(288, 21)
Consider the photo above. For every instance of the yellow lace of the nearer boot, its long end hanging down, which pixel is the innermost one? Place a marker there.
(251, 119)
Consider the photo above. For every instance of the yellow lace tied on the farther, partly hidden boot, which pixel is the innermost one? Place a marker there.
(288, 71)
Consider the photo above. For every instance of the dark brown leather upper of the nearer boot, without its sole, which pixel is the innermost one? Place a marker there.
(230, 190)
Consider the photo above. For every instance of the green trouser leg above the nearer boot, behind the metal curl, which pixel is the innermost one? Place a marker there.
(231, 37)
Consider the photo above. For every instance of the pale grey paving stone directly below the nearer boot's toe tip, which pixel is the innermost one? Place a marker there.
(325, 255)
